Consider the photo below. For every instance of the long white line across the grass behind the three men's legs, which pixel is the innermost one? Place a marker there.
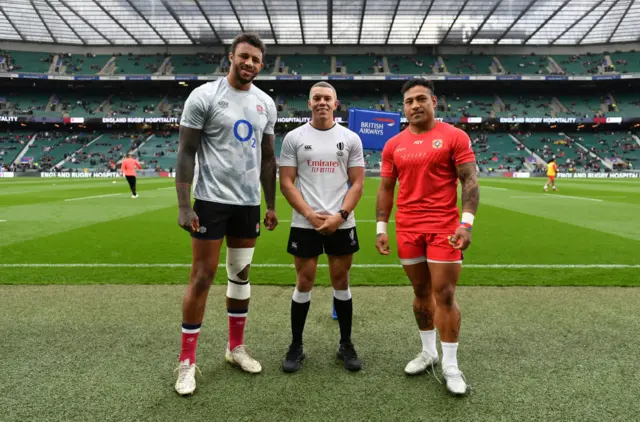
(496, 266)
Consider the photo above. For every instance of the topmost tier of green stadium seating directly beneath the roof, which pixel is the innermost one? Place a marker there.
(318, 64)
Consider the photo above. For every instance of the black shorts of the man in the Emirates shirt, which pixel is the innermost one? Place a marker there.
(308, 243)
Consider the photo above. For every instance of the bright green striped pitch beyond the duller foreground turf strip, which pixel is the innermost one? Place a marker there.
(587, 233)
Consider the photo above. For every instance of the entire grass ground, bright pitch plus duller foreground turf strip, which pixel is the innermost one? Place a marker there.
(91, 282)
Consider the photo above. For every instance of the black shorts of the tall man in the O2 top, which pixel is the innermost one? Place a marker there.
(218, 220)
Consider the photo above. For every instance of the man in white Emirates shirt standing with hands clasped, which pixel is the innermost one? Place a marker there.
(322, 177)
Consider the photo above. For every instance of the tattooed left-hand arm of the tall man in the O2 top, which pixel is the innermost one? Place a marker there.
(186, 161)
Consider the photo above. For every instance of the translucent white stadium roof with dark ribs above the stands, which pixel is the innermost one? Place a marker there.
(517, 22)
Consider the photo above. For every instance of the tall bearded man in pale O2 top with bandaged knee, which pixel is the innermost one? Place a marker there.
(230, 124)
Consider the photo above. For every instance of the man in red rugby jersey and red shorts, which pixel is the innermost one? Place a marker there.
(428, 158)
